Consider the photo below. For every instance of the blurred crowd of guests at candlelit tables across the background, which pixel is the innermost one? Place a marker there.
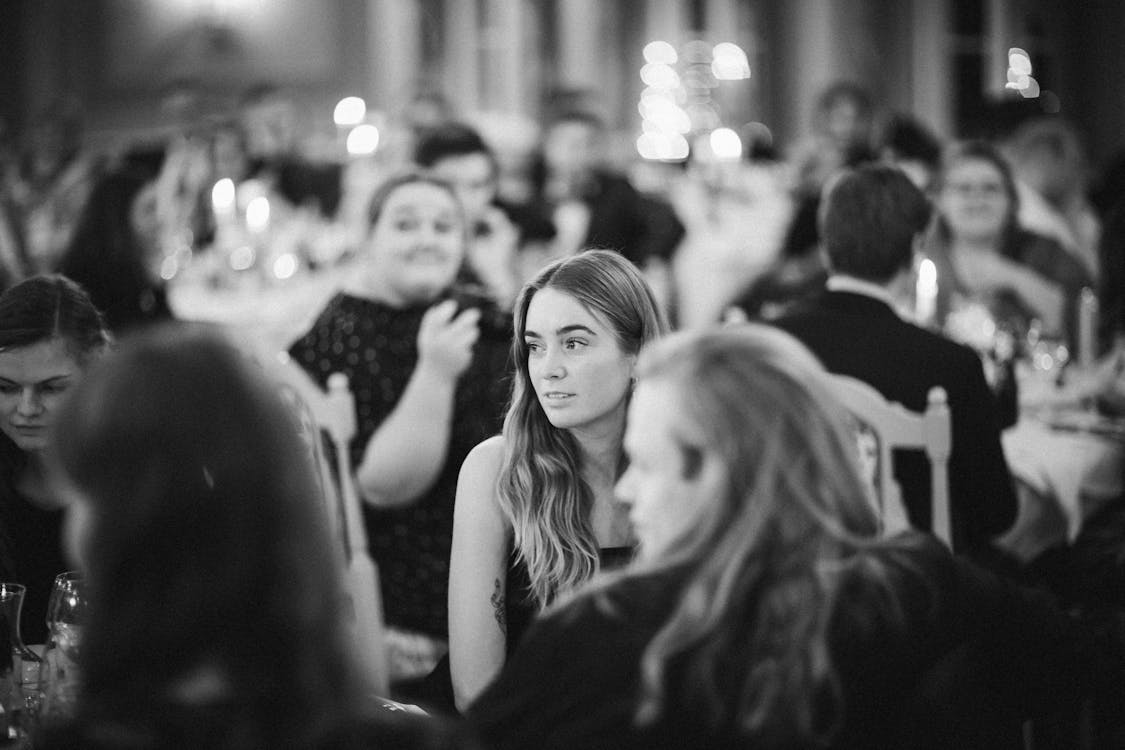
(248, 189)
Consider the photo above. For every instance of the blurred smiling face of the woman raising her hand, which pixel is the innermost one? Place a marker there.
(418, 245)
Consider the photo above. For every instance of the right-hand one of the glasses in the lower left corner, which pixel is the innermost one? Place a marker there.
(59, 671)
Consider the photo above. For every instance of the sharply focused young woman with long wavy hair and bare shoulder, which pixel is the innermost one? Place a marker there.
(535, 514)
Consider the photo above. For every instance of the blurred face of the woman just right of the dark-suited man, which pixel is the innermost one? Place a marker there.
(974, 201)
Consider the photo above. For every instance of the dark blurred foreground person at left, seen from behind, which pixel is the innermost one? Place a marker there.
(215, 615)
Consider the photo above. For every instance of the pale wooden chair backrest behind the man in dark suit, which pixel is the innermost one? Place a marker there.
(894, 427)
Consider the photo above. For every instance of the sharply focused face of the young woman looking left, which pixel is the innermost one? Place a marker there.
(577, 366)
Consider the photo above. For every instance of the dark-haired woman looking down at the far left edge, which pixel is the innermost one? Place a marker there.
(50, 333)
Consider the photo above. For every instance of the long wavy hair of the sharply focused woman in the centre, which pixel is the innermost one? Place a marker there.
(541, 487)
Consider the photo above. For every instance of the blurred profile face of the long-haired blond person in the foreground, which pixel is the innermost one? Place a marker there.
(665, 494)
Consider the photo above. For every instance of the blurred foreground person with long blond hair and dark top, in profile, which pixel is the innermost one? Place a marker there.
(764, 610)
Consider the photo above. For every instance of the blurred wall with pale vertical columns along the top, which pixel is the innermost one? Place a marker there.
(121, 58)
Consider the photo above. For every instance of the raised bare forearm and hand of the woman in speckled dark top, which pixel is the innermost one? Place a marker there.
(408, 453)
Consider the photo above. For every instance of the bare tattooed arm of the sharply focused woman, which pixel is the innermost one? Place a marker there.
(478, 576)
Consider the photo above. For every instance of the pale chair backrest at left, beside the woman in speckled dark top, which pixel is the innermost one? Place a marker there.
(335, 413)
